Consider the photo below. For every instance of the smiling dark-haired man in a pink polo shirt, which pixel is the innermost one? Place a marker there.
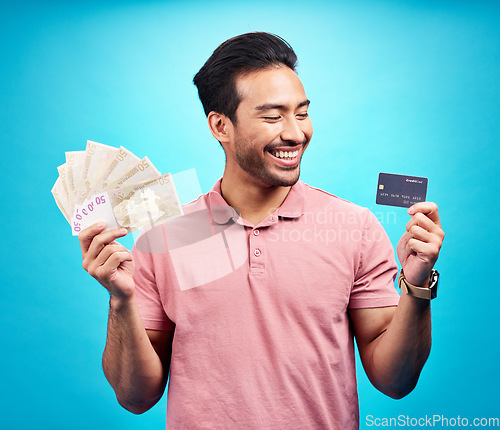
(267, 343)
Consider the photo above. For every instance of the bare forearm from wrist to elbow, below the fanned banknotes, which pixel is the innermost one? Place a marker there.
(130, 362)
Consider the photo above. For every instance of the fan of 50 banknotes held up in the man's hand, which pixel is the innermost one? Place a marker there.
(104, 183)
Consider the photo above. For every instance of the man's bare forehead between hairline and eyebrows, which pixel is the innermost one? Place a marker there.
(279, 85)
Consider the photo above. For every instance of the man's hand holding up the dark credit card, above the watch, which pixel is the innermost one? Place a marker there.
(419, 247)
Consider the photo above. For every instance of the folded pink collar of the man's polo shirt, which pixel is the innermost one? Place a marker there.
(221, 212)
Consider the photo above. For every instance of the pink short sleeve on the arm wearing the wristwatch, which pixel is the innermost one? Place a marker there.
(377, 270)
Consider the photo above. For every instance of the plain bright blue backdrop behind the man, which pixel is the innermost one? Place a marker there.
(406, 87)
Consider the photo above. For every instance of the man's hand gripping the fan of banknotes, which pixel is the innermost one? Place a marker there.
(109, 262)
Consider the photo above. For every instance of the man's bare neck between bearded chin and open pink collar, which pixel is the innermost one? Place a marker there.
(254, 201)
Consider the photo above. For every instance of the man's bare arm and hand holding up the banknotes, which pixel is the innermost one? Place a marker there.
(135, 360)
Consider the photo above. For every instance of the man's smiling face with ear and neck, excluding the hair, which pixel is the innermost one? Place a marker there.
(265, 140)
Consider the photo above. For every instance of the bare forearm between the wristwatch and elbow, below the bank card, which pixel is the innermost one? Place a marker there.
(399, 353)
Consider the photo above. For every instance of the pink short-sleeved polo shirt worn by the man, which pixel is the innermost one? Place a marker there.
(262, 337)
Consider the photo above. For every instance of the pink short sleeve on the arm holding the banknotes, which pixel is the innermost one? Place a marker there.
(147, 295)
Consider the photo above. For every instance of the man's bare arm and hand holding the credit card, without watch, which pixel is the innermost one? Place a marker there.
(394, 342)
